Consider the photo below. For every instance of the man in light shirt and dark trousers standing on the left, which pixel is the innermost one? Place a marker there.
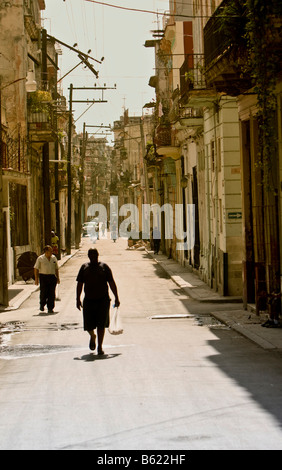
(46, 272)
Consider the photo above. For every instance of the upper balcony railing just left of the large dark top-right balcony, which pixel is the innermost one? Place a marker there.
(192, 73)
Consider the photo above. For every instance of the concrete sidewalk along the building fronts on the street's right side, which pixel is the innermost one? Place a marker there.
(245, 322)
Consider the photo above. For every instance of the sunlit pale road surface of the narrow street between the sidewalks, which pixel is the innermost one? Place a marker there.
(165, 383)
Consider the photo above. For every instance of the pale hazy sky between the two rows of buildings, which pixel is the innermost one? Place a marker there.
(118, 36)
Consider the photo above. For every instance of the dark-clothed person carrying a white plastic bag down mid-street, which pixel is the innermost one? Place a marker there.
(95, 276)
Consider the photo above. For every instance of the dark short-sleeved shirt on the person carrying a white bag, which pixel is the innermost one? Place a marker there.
(95, 278)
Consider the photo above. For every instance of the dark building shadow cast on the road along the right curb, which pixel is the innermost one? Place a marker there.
(255, 370)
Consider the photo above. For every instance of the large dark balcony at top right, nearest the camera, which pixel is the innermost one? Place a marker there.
(225, 49)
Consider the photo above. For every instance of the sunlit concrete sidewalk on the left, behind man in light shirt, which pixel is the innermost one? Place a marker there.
(21, 290)
